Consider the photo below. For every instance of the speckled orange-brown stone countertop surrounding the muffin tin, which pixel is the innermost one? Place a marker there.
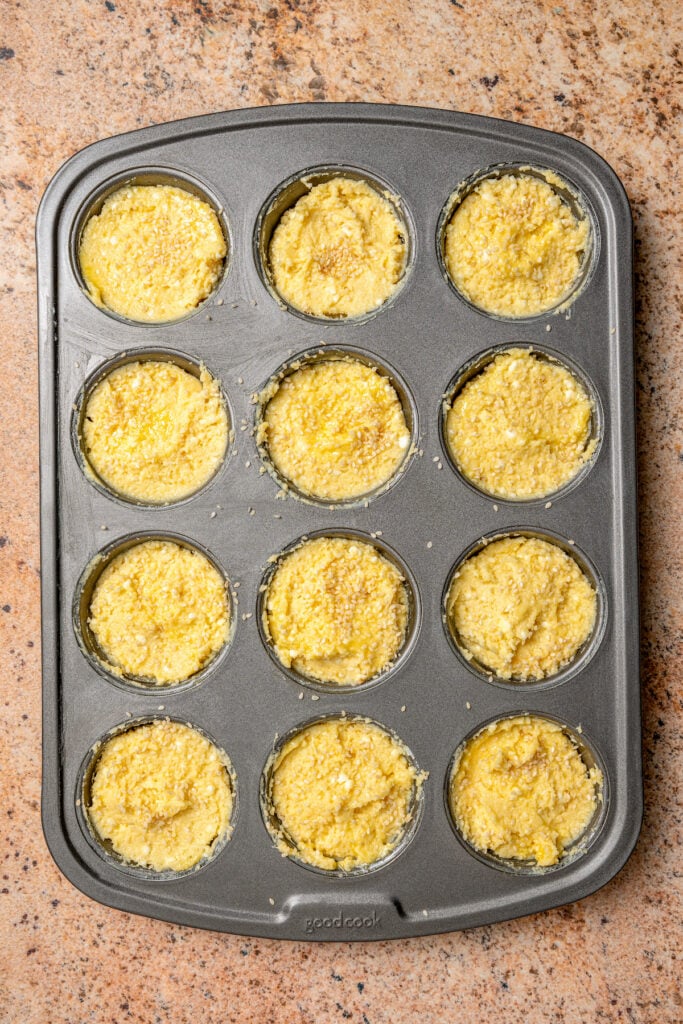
(72, 73)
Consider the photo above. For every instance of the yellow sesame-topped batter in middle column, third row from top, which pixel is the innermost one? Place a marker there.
(336, 611)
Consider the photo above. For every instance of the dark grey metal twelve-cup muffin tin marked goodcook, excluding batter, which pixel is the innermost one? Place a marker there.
(433, 700)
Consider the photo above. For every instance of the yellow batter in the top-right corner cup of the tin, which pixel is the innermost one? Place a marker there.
(514, 247)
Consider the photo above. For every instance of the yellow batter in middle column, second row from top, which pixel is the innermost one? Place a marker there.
(335, 430)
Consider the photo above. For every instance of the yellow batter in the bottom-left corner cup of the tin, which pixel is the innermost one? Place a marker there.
(162, 795)
